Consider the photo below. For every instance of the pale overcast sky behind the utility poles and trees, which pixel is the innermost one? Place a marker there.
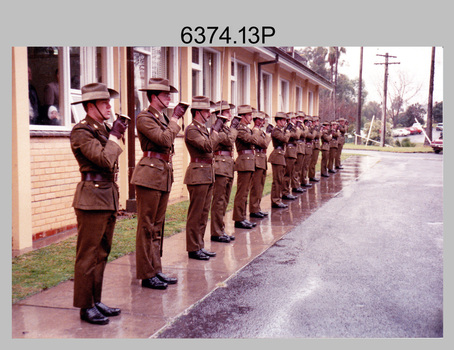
(414, 65)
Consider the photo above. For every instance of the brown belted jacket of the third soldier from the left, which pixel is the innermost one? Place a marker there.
(200, 145)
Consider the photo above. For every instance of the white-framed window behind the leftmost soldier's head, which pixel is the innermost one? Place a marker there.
(56, 75)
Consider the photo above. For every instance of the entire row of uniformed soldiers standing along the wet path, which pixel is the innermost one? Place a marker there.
(296, 139)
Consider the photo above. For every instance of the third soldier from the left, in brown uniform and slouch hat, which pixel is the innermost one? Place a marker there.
(199, 177)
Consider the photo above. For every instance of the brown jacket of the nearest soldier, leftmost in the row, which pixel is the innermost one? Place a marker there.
(97, 152)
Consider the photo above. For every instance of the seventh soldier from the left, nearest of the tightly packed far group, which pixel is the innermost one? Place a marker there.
(280, 137)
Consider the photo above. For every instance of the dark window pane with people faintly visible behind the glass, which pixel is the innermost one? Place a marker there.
(44, 88)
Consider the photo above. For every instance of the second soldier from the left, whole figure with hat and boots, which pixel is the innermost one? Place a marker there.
(153, 178)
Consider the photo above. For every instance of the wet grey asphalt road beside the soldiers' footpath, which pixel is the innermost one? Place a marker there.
(367, 264)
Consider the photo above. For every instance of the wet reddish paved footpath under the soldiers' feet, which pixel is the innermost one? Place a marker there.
(50, 314)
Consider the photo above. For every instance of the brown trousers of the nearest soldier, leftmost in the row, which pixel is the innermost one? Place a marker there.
(94, 240)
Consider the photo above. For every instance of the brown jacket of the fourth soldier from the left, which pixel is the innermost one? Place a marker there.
(223, 164)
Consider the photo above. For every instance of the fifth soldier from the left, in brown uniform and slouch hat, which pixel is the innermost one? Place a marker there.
(244, 166)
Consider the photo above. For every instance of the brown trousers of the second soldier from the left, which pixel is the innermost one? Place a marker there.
(151, 210)
